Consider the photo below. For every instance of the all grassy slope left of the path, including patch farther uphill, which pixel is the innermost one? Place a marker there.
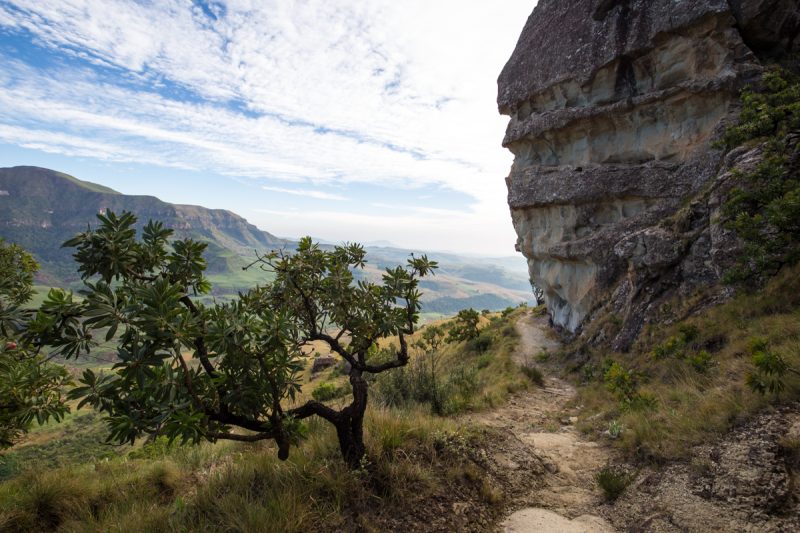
(415, 458)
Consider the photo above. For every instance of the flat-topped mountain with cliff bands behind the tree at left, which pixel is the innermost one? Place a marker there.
(41, 208)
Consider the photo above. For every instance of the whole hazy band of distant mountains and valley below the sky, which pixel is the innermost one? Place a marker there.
(41, 208)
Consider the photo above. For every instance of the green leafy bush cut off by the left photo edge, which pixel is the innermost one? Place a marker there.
(30, 387)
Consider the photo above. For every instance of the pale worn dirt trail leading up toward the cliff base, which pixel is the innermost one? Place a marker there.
(541, 419)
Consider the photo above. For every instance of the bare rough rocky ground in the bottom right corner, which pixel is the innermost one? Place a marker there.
(747, 481)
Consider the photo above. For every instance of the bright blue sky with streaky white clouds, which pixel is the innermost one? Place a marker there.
(347, 120)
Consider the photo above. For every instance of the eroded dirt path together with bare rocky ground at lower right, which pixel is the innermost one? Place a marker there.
(745, 480)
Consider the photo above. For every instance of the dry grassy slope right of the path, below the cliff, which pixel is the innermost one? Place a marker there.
(694, 406)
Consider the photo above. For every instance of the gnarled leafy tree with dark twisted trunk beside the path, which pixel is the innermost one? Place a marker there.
(195, 372)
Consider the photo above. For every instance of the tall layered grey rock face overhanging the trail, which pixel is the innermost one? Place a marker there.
(614, 108)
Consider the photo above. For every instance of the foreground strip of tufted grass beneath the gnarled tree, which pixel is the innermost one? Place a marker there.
(234, 487)
